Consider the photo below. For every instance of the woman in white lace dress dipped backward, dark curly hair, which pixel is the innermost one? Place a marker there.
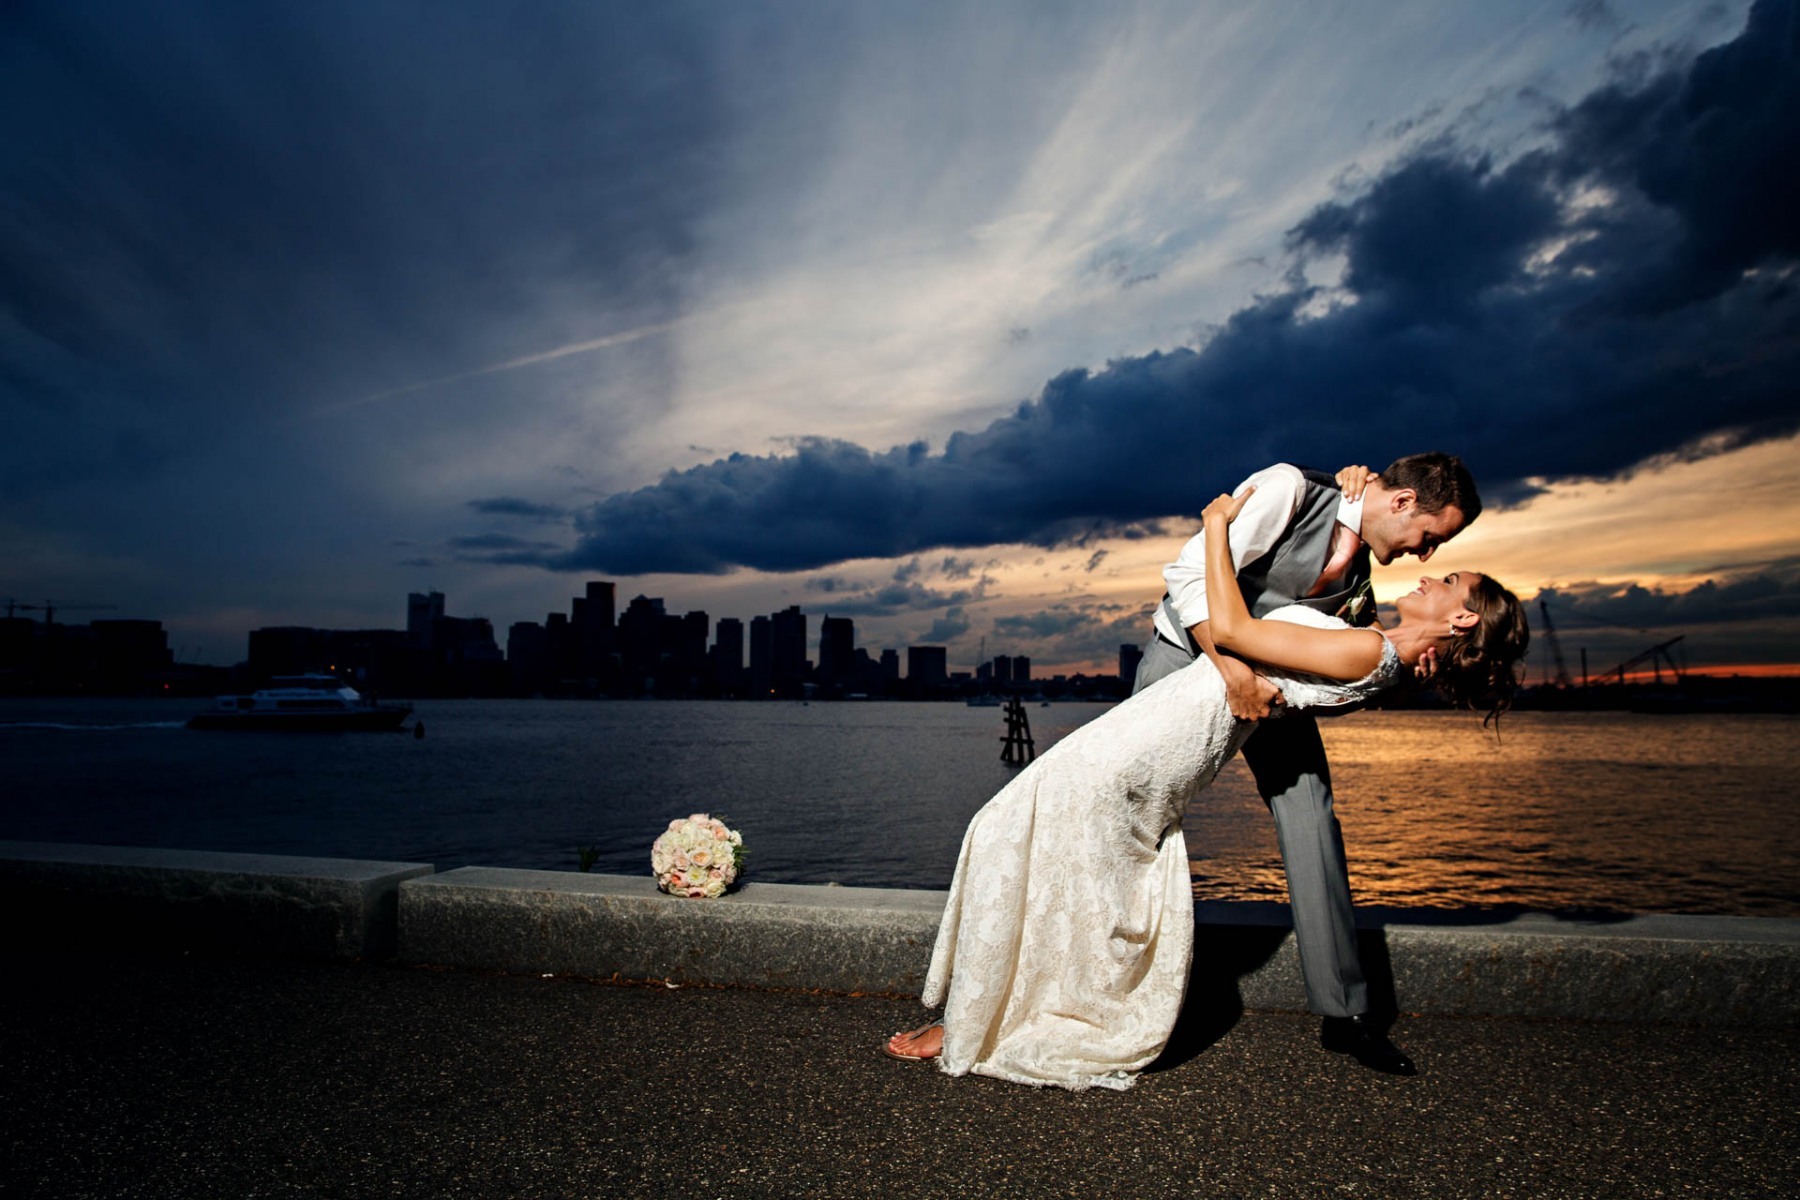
(1066, 942)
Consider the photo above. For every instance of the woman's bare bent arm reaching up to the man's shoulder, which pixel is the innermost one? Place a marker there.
(1282, 645)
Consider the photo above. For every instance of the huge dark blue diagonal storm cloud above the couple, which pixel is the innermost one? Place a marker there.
(1617, 296)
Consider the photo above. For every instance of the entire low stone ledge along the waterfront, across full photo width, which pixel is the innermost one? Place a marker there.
(111, 899)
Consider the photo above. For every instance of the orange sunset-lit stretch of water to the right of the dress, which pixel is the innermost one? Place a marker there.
(1574, 810)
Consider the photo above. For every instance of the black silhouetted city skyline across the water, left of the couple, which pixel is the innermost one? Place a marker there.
(593, 650)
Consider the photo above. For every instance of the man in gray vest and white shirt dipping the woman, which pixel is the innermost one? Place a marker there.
(1300, 541)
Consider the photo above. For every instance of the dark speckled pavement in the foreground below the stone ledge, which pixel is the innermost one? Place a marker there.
(213, 1079)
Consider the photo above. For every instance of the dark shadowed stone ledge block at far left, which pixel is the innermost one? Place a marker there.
(73, 899)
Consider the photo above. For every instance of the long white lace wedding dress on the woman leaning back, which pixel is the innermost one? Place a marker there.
(1066, 944)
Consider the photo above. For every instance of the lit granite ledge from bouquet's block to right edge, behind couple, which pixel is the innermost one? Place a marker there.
(1698, 971)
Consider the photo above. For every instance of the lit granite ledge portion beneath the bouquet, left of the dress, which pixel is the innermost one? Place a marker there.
(602, 926)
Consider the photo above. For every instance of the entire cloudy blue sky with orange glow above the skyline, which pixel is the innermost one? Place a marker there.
(942, 316)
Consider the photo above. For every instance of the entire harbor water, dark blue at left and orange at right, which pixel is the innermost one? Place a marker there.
(1599, 812)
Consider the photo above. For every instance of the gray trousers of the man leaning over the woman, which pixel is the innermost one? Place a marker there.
(1288, 760)
